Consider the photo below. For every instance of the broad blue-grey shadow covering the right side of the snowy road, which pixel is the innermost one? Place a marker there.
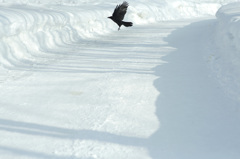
(196, 119)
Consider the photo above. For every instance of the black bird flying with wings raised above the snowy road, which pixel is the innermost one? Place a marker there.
(119, 14)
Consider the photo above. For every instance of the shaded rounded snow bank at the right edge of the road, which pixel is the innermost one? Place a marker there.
(227, 56)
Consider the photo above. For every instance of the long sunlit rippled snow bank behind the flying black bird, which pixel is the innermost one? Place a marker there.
(31, 28)
